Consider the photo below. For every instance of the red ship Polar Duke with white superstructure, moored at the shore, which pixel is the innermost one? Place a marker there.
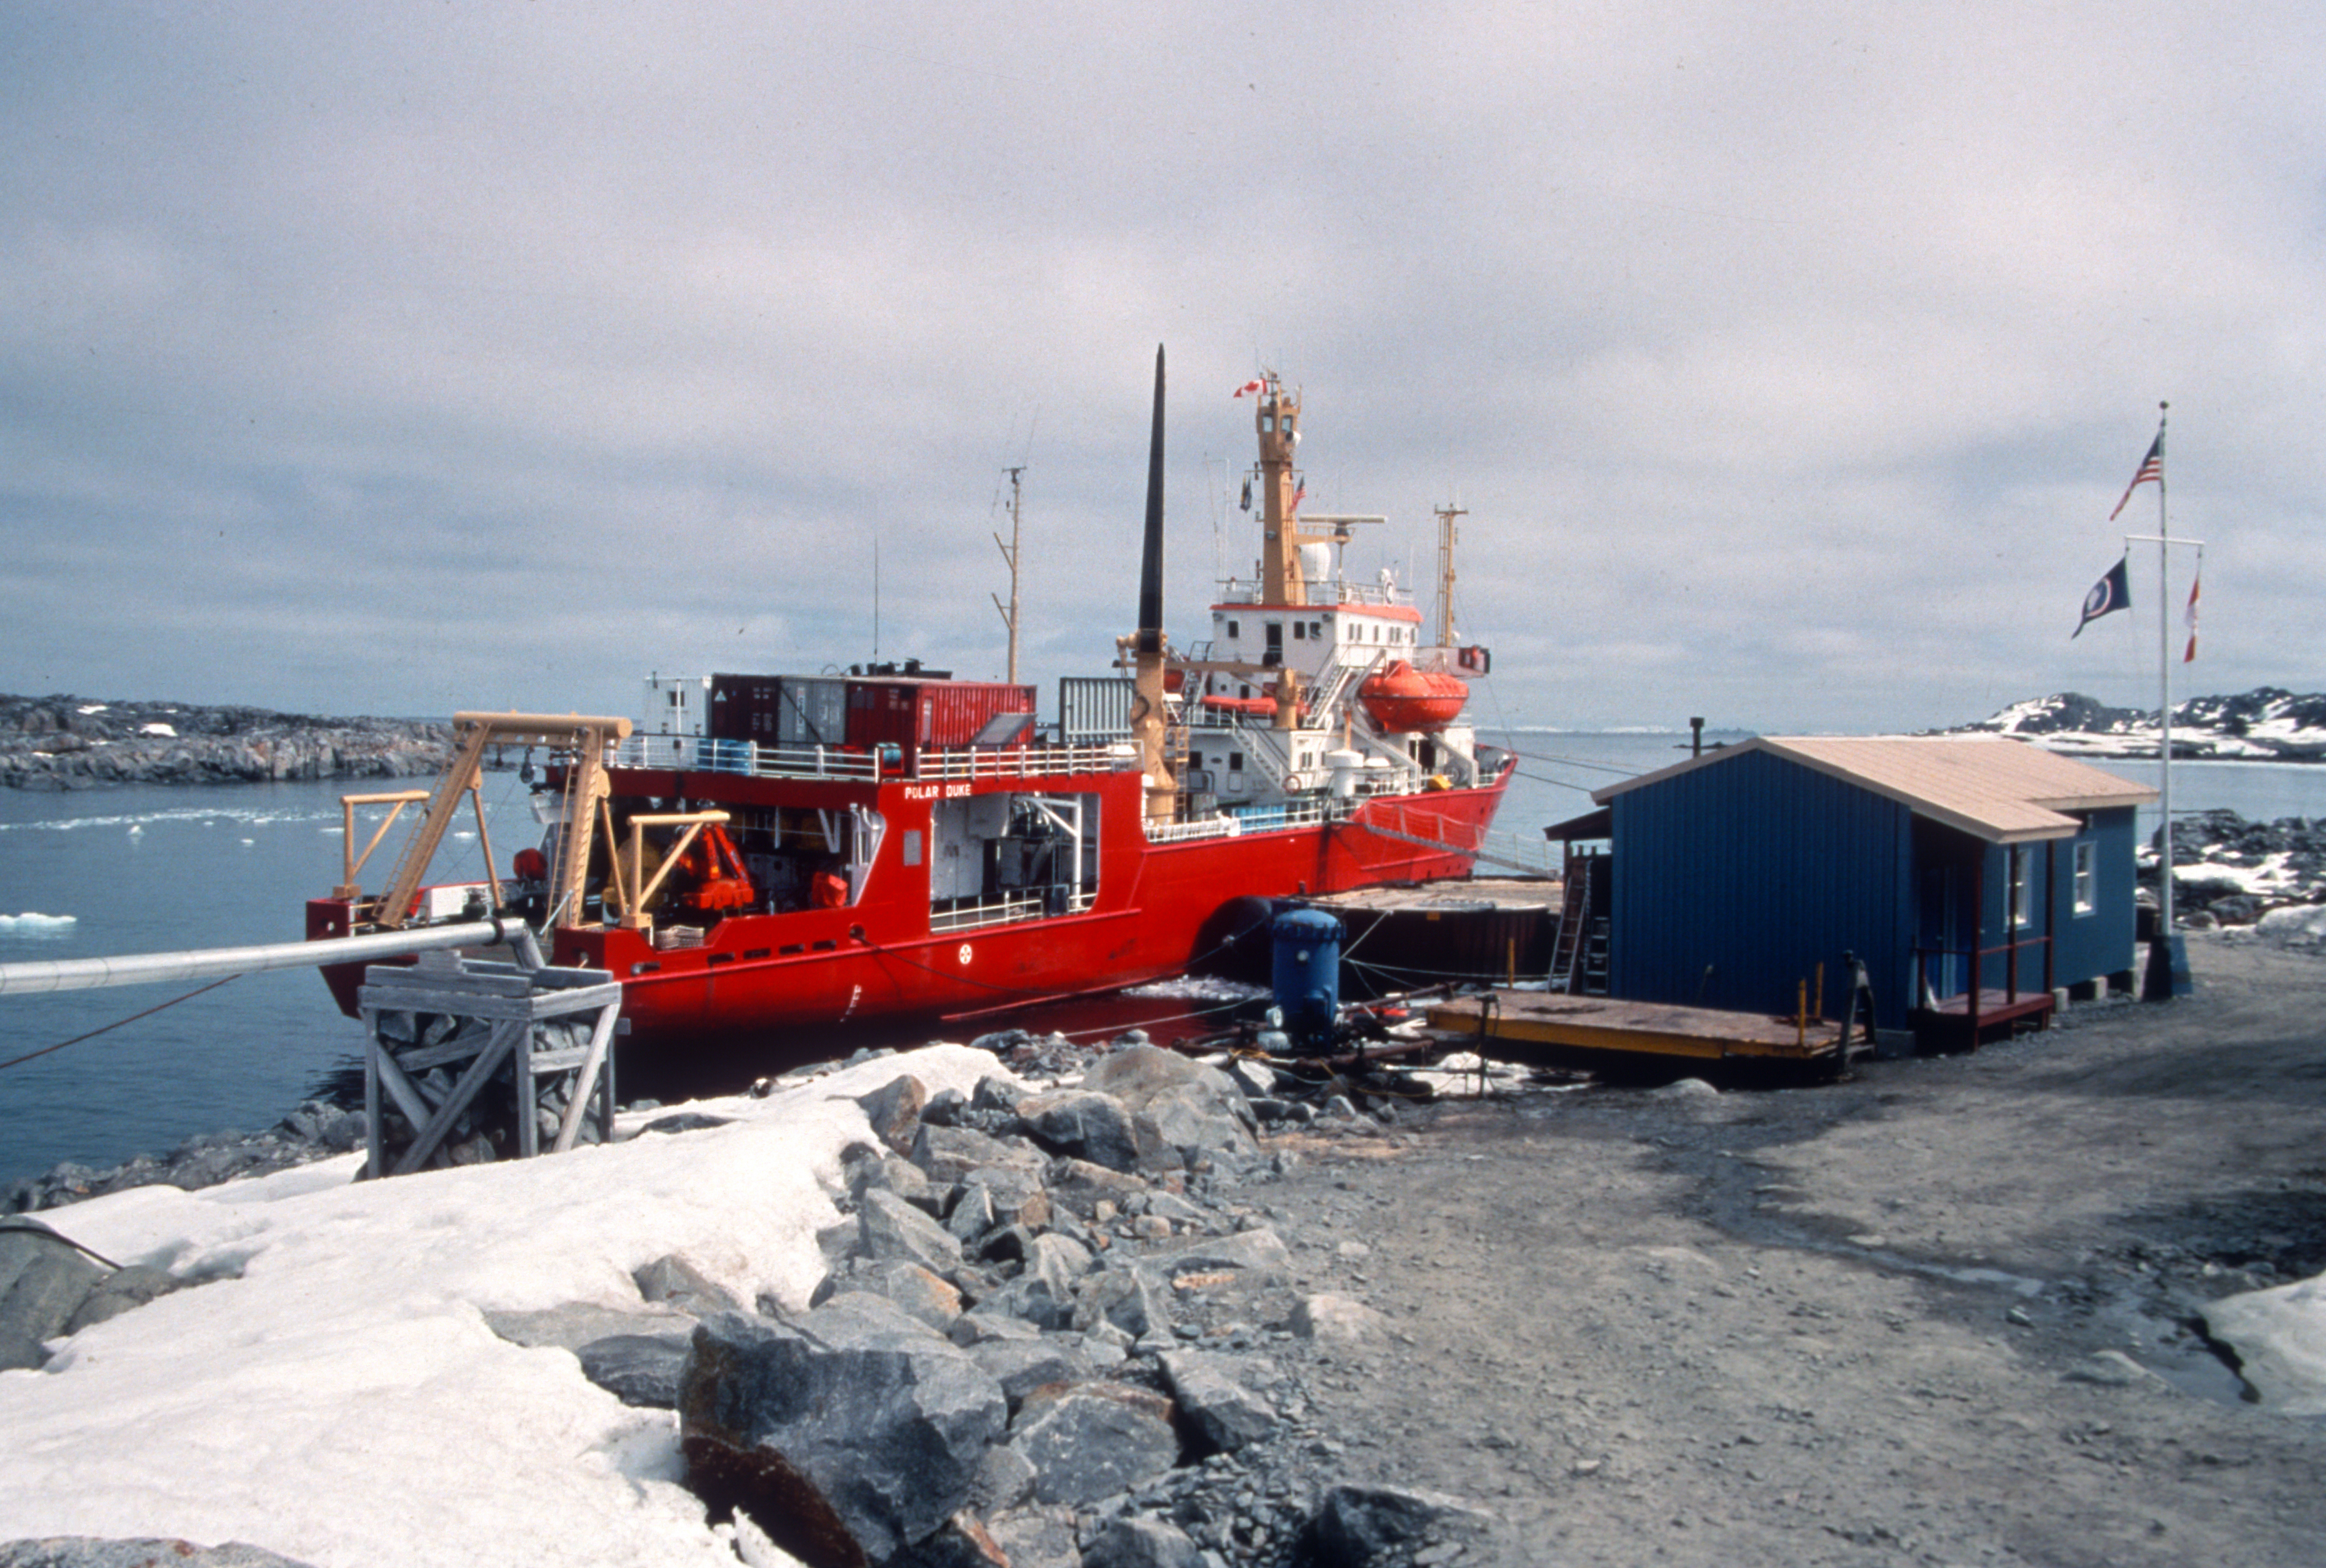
(815, 850)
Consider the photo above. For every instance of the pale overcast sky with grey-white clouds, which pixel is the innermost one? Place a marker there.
(1785, 359)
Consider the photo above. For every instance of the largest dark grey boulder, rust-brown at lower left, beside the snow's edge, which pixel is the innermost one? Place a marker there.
(850, 1434)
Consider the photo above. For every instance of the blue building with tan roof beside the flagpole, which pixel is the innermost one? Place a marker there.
(1739, 874)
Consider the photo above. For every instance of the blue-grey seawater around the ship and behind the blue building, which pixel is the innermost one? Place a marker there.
(152, 869)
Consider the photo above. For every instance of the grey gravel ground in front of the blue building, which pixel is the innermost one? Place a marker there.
(1941, 1313)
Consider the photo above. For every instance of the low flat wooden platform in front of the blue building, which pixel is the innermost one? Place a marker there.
(1636, 1029)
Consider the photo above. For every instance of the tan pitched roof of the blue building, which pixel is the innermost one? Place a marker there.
(1995, 787)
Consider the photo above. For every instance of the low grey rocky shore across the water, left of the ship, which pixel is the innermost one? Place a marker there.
(78, 743)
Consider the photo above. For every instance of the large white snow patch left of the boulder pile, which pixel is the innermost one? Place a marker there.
(338, 1392)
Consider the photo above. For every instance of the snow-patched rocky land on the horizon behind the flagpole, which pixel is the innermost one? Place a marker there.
(2267, 725)
